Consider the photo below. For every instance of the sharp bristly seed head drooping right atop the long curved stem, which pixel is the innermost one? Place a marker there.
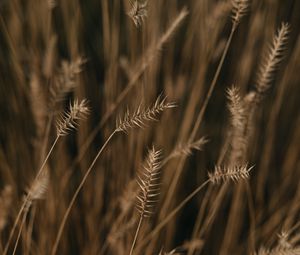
(139, 118)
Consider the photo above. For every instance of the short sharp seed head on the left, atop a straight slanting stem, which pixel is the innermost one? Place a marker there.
(69, 120)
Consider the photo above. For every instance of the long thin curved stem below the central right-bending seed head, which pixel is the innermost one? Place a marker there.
(64, 220)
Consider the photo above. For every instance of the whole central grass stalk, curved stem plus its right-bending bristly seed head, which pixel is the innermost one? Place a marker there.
(137, 119)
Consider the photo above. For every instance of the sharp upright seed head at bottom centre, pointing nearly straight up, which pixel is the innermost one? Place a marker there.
(148, 181)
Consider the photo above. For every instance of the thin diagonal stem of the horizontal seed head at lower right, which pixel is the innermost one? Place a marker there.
(173, 213)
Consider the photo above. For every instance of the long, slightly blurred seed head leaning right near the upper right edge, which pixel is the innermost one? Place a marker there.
(272, 59)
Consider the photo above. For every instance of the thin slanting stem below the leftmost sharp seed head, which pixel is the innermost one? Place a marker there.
(27, 197)
